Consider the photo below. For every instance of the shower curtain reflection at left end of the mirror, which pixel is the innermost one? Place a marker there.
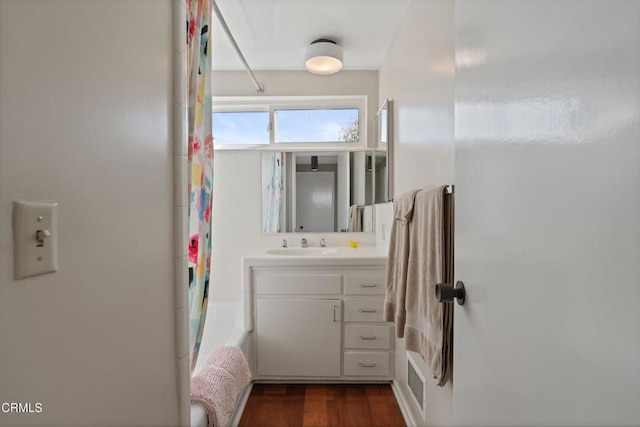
(273, 200)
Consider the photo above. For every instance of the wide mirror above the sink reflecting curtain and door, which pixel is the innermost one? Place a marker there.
(326, 191)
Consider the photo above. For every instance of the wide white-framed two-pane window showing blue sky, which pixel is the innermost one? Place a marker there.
(250, 122)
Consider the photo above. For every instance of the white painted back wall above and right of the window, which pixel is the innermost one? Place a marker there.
(300, 83)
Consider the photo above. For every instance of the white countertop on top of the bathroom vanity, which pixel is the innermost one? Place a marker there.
(344, 256)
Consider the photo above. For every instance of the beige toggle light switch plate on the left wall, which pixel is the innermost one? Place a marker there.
(35, 238)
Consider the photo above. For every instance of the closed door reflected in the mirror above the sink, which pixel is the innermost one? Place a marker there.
(315, 201)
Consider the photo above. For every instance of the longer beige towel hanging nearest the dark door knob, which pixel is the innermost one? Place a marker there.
(428, 323)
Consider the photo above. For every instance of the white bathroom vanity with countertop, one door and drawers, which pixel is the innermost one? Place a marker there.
(318, 317)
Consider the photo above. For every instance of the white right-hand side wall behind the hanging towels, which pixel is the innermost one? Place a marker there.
(418, 75)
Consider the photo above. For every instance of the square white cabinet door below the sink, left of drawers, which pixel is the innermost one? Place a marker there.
(298, 337)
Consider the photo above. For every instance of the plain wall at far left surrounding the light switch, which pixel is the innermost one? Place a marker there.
(84, 121)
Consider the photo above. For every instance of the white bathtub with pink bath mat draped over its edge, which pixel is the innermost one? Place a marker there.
(223, 326)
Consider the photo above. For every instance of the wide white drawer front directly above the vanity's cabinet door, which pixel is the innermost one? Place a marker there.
(299, 285)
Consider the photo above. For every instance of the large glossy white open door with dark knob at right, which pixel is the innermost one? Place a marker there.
(547, 213)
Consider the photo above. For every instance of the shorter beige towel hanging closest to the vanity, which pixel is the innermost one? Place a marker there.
(394, 301)
